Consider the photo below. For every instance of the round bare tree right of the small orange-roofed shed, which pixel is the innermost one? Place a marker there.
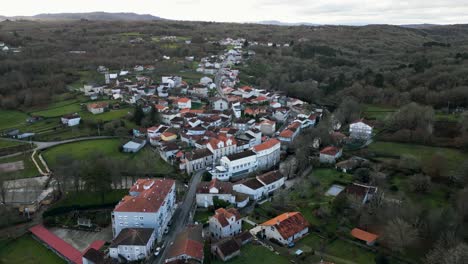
(399, 234)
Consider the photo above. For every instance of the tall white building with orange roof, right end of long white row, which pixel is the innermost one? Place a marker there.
(268, 153)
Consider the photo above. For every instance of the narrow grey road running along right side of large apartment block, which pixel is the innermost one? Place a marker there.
(181, 218)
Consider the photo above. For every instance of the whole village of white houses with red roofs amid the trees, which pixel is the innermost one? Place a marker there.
(232, 140)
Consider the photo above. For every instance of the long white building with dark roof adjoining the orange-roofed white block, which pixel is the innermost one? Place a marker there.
(235, 165)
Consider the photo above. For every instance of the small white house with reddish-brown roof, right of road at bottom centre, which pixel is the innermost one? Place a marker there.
(225, 223)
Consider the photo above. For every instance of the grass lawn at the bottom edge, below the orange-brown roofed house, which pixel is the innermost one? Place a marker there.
(255, 254)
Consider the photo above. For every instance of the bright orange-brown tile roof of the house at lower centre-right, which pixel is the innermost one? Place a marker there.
(288, 224)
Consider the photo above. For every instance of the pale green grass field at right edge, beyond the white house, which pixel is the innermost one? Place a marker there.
(423, 153)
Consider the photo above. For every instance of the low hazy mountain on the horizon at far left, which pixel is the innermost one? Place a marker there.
(103, 16)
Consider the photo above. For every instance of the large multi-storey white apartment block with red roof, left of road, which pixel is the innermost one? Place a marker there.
(150, 204)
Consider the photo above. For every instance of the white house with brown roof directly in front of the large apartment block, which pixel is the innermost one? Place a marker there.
(133, 244)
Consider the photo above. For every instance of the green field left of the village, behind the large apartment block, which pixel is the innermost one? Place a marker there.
(84, 150)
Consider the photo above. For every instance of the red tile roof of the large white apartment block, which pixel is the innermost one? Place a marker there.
(151, 195)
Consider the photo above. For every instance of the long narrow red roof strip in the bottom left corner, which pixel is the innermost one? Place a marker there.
(59, 245)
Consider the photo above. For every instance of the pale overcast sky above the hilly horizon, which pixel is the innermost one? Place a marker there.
(312, 11)
